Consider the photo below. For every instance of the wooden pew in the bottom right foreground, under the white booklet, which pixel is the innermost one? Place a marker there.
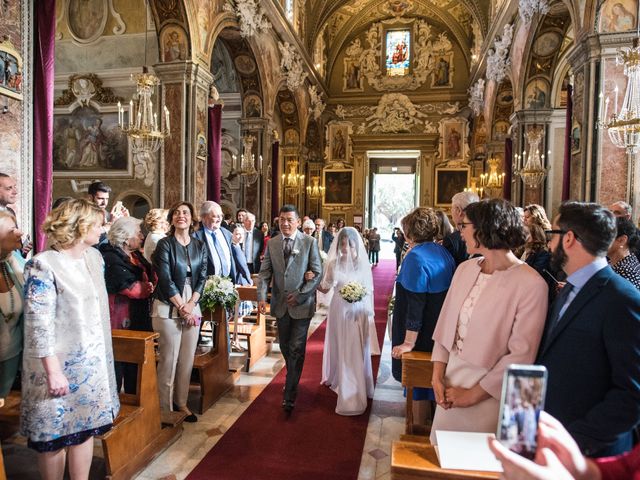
(415, 460)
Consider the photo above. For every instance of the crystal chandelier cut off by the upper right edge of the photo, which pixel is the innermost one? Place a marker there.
(624, 125)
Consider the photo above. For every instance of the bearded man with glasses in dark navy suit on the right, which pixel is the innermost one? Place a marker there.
(591, 342)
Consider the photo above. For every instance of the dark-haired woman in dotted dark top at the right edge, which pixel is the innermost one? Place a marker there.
(622, 251)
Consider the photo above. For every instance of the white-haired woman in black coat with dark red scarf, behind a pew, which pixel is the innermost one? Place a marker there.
(130, 282)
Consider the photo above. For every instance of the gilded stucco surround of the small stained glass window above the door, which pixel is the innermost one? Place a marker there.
(428, 47)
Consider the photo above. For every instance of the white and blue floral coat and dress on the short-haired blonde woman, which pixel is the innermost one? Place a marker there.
(67, 314)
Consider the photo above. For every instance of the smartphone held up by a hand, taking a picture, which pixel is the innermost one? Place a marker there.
(523, 390)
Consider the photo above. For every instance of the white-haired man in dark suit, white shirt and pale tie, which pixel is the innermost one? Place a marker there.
(225, 258)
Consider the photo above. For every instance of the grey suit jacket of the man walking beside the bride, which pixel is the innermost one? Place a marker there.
(289, 277)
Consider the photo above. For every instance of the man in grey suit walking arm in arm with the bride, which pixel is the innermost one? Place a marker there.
(287, 257)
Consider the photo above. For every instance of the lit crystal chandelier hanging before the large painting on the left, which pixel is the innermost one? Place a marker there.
(144, 131)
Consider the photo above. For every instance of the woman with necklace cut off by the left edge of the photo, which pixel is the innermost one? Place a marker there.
(11, 301)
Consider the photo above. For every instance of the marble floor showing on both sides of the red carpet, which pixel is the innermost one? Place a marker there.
(386, 423)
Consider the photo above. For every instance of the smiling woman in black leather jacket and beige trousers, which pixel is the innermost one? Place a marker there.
(181, 264)
